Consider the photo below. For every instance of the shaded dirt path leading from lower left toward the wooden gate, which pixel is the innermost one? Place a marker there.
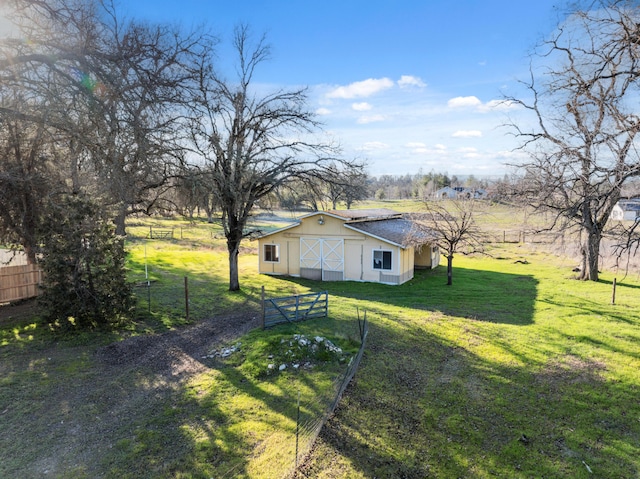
(86, 401)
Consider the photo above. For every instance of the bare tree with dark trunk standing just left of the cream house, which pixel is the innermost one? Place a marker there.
(254, 141)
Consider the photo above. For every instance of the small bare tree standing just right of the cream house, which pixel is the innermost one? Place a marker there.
(457, 231)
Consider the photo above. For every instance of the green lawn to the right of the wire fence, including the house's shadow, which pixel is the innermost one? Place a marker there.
(514, 371)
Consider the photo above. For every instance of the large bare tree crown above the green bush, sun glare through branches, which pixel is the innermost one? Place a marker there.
(116, 91)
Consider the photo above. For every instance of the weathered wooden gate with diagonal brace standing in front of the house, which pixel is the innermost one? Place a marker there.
(294, 308)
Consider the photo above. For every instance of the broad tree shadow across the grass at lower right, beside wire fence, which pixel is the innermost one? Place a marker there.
(422, 406)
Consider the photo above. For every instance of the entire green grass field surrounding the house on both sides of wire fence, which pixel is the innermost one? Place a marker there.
(514, 371)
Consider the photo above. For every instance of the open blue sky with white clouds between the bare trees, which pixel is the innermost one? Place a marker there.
(405, 84)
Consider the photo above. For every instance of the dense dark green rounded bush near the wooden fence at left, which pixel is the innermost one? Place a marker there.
(84, 283)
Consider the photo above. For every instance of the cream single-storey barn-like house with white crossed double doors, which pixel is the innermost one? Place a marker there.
(378, 245)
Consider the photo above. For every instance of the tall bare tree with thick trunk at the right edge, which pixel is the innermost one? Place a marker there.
(582, 144)
